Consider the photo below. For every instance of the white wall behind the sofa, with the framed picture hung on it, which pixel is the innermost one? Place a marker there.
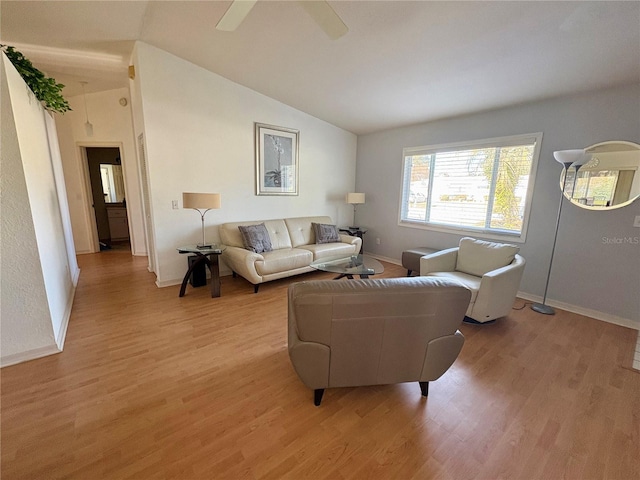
(199, 132)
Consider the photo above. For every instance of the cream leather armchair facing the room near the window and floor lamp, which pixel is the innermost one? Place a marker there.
(492, 271)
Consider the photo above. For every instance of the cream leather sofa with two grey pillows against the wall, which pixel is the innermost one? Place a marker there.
(294, 248)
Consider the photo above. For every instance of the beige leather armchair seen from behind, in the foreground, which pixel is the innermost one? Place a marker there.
(376, 331)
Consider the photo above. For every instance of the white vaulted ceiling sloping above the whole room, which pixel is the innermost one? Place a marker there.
(400, 62)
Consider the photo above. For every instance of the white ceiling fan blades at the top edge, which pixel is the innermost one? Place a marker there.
(319, 10)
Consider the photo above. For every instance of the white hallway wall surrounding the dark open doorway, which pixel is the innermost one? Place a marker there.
(112, 126)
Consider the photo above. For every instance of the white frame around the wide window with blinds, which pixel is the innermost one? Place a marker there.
(505, 141)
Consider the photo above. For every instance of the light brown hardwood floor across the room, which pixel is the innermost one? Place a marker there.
(155, 386)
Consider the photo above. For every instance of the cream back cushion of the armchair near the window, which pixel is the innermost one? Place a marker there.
(477, 257)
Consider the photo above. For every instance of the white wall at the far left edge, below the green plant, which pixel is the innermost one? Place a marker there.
(38, 277)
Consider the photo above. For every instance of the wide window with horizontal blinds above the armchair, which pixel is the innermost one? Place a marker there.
(478, 187)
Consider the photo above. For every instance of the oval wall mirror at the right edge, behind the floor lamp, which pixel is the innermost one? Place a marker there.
(611, 179)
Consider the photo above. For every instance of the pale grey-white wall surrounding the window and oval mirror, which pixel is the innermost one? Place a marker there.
(589, 274)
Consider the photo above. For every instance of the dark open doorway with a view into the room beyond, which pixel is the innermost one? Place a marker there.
(108, 197)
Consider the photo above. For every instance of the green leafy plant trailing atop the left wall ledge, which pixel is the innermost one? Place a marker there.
(45, 88)
